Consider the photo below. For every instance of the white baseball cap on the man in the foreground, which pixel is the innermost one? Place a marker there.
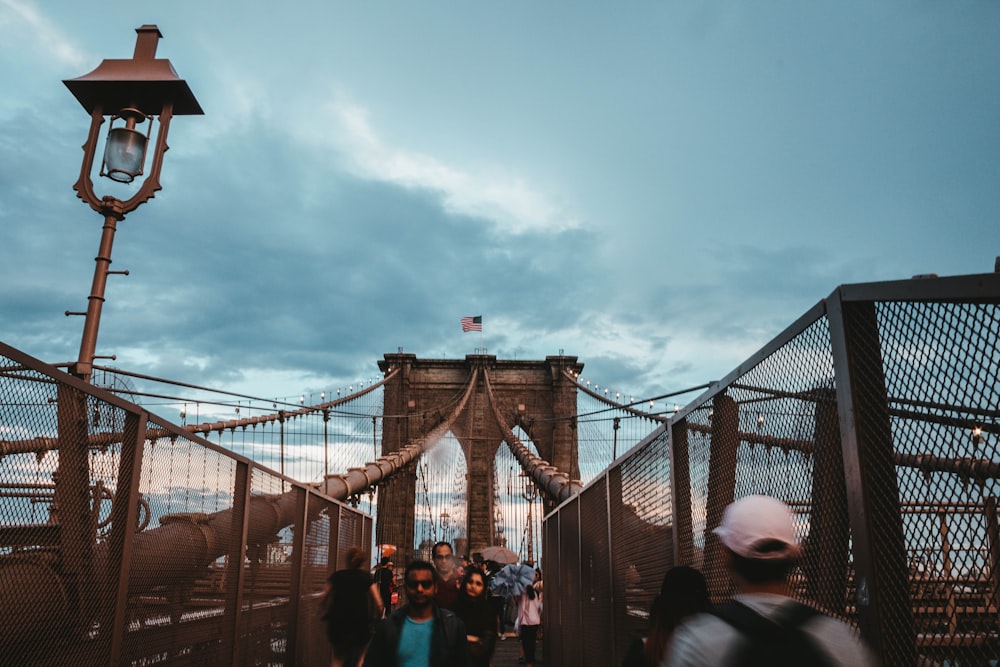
(759, 528)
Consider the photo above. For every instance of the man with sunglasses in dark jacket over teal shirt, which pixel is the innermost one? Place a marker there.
(419, 634)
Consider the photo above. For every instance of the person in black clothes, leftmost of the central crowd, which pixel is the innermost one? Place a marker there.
(346, 599)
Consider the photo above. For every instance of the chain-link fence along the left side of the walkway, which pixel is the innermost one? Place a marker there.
(126, 540)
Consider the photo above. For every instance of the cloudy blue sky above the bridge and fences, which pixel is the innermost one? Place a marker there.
(656, 187)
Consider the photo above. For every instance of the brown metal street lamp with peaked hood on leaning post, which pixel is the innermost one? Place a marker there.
(131, 93)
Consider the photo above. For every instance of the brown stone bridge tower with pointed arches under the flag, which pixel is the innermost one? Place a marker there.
(534, 395)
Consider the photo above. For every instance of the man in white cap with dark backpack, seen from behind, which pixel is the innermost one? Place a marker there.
(763, 624)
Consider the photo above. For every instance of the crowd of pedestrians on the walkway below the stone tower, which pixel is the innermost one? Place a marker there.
(448, 616)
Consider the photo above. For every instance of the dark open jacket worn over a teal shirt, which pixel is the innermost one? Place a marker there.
(448, 645)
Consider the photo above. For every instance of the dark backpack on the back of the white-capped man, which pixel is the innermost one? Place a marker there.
(773, 642)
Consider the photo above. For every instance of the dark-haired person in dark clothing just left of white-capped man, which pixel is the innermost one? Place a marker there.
(683, 593)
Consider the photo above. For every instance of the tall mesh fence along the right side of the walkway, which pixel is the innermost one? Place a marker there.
(875, 417)
